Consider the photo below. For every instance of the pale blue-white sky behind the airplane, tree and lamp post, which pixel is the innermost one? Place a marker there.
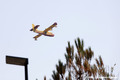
(97, 22)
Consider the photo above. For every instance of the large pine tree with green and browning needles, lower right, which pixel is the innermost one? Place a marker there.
(78, 65)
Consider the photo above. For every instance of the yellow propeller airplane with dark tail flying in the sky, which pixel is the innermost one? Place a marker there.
(45, 32)
